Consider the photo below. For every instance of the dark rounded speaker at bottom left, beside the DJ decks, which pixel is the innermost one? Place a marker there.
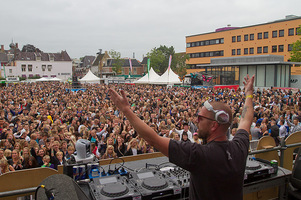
(60, 186)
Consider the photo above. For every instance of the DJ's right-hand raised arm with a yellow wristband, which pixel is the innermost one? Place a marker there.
(248, 110)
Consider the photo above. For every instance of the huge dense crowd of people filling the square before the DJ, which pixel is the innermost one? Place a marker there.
(41, 122)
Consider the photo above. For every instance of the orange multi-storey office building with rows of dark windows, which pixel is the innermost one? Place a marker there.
(272, 38)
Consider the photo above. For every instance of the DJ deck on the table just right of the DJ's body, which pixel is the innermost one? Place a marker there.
(256, 170)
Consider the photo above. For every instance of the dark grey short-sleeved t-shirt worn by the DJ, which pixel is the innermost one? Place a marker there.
(216, 169)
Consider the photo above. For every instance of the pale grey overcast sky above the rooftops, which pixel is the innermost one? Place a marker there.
(81, 27)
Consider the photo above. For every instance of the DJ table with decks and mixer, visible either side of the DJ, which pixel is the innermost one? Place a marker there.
(157, 178)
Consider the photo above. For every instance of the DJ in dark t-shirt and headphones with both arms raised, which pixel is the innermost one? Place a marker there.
(216, 168)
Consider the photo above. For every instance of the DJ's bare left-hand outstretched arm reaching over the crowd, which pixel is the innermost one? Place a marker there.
(142, 128)
